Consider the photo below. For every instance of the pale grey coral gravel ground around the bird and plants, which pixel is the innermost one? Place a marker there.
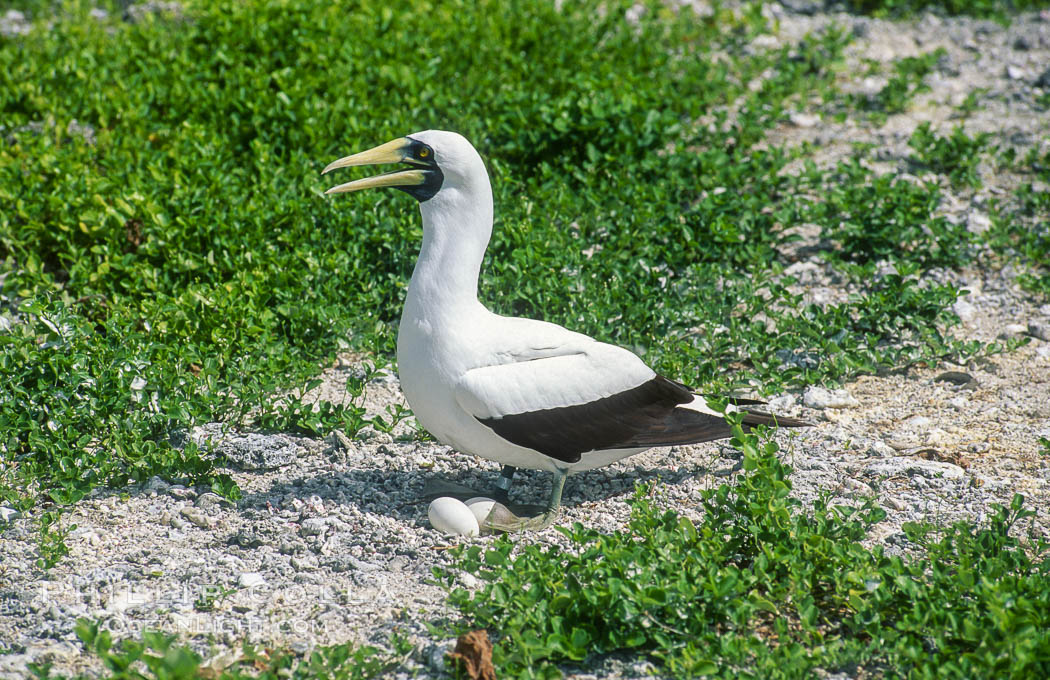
(330, 542)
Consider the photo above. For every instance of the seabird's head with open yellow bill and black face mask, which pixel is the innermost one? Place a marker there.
(432, 161)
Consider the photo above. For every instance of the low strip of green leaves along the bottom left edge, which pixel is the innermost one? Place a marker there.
(159, 657)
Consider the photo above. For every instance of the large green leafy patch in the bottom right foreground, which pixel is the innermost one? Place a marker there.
(758, 587)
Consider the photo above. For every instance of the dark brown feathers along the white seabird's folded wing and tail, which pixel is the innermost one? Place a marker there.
(644, 417)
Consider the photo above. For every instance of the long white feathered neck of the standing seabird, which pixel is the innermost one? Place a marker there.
(457, 226)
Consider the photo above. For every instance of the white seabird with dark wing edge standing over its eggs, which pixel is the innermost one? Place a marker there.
(519, 392)
